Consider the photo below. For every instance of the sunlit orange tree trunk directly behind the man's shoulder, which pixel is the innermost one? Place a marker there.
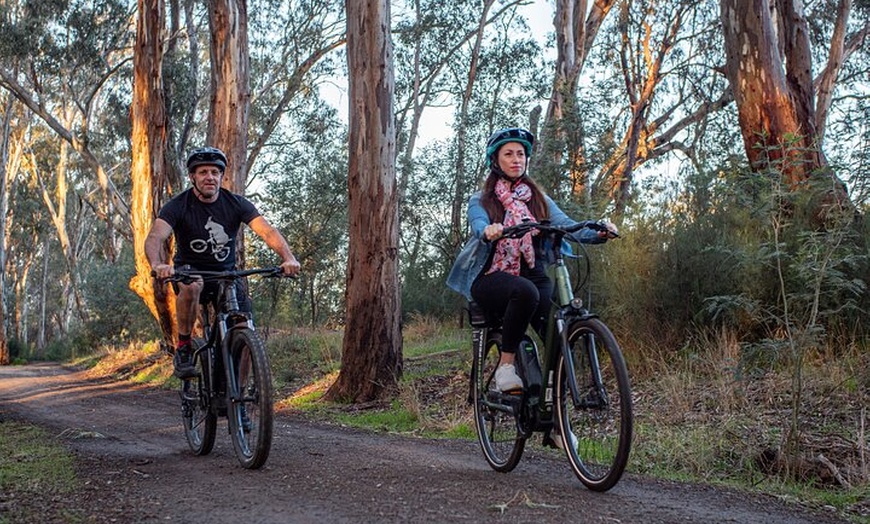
(150, 169)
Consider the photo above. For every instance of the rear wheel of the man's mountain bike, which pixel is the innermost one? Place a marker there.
(200, 421)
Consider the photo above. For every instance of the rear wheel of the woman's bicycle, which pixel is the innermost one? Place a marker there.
(495, 421)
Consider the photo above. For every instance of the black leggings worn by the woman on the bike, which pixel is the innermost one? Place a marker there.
(517, 300)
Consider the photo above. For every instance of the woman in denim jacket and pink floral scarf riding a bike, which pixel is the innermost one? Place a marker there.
(506, 277)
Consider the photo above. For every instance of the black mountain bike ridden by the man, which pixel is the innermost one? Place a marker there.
(233, 378)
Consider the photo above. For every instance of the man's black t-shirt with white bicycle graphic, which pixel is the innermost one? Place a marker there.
(205, 233)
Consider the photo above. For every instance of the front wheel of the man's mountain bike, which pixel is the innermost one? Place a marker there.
(250, 415)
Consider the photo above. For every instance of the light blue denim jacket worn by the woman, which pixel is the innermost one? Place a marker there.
(473, 257)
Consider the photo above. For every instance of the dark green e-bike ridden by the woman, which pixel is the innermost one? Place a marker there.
(576, 389)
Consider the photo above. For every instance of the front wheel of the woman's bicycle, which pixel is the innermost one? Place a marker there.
(601, 422)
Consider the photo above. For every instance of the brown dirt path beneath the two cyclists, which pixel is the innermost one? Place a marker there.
(137, 468)
